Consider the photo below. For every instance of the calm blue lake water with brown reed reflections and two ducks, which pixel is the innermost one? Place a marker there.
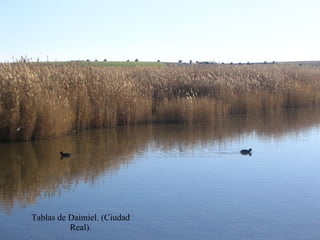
(167, 182)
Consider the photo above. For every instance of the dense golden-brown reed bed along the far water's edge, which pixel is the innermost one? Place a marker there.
(46, 100)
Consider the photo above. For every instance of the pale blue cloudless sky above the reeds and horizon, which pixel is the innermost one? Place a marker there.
(168, 30)
